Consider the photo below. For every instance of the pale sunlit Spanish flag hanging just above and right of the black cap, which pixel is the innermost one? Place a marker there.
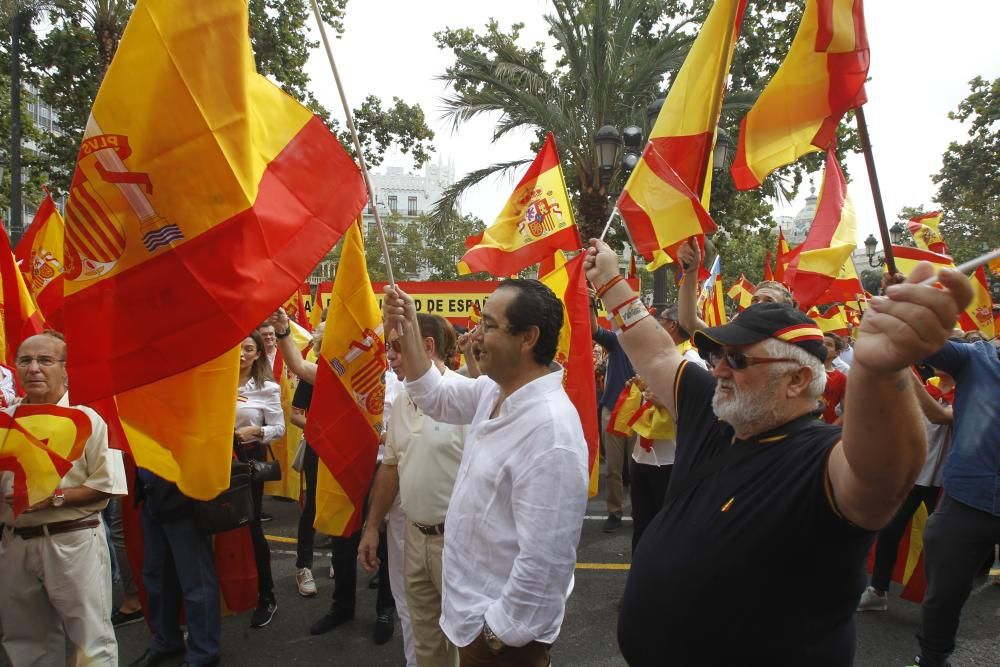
(831, 239)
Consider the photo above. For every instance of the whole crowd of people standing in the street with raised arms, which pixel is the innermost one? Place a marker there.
(794, 452)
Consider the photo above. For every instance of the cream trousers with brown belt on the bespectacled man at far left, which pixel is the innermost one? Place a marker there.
(54, 587)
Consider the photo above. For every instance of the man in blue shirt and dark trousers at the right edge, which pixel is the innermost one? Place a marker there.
(962, 531)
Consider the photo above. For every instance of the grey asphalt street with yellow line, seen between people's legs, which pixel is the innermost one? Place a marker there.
(588, 634)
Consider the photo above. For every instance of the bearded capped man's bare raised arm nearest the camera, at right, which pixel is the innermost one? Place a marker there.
(884, 442)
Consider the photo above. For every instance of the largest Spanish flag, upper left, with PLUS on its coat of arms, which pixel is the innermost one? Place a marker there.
(203, 196)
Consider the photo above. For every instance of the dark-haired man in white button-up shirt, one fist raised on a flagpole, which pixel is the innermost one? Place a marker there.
(515, 515)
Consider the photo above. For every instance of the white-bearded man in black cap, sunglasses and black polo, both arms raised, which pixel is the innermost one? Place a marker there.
(764, 496)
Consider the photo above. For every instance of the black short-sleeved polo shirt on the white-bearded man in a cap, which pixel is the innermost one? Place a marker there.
(752, 566)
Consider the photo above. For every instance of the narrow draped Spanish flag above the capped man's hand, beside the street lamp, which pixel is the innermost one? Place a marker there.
(665, 200)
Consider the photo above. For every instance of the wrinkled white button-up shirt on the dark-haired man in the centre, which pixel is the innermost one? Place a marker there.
(514, 520)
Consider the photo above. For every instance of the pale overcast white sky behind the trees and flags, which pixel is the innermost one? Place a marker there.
(924, 52)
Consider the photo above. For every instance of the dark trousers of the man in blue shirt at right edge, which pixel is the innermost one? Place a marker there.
(956, 542)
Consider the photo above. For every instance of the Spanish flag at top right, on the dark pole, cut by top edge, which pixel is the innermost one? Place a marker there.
(822, 77)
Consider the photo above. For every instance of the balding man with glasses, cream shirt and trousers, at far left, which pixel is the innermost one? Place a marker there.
(55, 567)
